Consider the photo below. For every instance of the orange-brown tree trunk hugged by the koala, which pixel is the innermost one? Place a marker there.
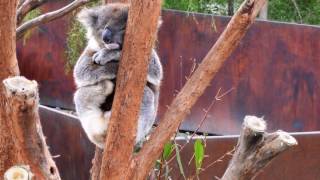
(140, 37)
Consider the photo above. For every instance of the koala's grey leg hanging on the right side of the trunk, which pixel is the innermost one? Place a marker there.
(148, 111)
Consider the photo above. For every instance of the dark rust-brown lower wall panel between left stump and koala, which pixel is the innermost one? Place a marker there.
(68, 143)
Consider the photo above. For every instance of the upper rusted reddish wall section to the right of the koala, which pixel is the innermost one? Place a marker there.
(273, 73)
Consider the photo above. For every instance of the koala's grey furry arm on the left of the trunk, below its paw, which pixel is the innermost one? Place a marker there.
(86, 72)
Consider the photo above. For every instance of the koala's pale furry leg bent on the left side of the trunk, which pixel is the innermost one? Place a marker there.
(94, 121)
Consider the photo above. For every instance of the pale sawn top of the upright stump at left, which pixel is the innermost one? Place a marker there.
(20, 87)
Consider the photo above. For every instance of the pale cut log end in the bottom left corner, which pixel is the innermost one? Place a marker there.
(21, 172)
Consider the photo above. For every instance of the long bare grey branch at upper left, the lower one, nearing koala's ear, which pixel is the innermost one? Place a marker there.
(49, 17)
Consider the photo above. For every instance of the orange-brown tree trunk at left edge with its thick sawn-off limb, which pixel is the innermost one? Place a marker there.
(21, 137)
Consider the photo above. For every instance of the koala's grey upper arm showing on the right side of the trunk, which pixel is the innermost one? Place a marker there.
(155, 73)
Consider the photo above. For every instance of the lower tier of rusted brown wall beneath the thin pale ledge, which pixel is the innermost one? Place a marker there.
(66, 139)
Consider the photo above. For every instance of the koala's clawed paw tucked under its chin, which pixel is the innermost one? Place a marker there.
(104, 56)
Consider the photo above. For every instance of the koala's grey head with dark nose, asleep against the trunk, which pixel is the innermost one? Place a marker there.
(106, 24)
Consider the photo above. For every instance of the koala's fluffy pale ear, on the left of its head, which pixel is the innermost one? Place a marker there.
(88, 17)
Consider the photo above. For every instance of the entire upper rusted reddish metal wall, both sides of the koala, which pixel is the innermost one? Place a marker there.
(273, 73)
